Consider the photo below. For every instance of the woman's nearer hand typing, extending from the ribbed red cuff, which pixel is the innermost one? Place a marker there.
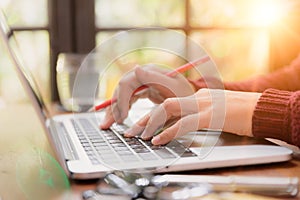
(225, 110)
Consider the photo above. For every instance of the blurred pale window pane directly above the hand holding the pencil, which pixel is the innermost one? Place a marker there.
(142, 49)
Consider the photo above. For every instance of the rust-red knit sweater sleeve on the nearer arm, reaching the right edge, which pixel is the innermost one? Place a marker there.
(277, 115)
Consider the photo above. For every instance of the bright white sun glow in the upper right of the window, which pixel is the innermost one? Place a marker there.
(267, 13)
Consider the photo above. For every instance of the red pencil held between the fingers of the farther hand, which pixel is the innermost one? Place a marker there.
(180, 69)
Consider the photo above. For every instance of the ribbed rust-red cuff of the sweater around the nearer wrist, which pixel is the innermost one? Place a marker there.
(271, 115)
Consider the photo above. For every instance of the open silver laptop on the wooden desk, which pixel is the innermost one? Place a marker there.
(86, 152)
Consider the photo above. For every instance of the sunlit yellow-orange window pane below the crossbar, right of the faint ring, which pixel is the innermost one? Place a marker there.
(238, 53)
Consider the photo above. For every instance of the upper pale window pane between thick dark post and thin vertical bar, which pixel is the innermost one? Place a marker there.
(133, 13)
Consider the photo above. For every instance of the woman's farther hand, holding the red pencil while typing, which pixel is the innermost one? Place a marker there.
(160, 87)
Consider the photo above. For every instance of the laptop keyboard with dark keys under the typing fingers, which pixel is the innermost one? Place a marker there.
(110, 146)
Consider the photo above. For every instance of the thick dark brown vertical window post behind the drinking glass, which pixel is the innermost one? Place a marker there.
(72, 30)
